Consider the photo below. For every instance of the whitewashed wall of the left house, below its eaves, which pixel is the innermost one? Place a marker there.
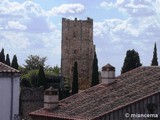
(5, 97)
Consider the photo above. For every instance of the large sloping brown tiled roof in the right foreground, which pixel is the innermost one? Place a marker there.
(102, 99)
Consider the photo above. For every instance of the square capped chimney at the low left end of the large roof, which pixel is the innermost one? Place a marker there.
(50, 99)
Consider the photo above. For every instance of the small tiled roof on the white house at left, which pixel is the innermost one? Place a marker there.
(7, 69)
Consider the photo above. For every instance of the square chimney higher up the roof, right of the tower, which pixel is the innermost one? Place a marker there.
(108, 74)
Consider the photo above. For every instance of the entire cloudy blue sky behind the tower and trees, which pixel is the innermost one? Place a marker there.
(34, 27)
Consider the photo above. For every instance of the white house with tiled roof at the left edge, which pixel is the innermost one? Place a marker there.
(9, 92)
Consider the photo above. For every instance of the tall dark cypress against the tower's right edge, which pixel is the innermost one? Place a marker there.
(95, 73)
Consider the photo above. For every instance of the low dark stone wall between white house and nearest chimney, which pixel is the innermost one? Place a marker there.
(31, 99)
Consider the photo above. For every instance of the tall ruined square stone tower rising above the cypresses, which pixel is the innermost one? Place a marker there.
(77, 46)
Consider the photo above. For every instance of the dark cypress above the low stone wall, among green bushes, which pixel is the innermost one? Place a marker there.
(41, 77)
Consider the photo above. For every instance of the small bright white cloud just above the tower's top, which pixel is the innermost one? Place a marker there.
(67, 9)
